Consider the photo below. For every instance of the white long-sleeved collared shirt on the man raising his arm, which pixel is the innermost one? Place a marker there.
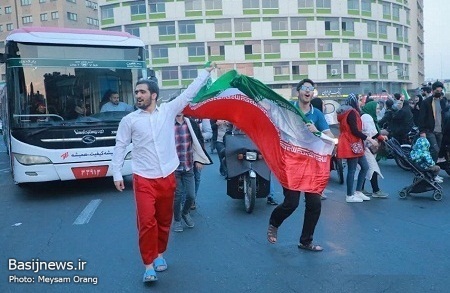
(154, 153)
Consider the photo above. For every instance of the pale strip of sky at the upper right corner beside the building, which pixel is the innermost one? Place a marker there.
(437, 39)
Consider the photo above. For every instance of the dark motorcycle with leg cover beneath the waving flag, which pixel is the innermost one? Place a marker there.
(248, 176)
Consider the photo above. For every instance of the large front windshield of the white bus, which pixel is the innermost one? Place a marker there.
(65, 85)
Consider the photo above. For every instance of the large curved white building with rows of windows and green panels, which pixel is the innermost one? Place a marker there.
(343, 45)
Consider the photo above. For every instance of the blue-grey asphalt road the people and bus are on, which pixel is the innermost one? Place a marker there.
(385, 245)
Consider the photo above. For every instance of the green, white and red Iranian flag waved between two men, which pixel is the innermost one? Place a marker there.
(298, 158)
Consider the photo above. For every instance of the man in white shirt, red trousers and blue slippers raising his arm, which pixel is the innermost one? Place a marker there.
(154, 160)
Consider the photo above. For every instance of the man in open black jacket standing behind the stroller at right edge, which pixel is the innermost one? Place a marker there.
(431, 118)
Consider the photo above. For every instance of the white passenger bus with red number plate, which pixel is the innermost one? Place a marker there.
(56, 81)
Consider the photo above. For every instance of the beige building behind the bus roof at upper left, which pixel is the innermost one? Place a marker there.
(56, 13)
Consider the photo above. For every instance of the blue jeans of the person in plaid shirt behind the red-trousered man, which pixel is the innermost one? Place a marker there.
(185, 186)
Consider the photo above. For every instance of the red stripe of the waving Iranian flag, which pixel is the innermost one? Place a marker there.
(296, 168)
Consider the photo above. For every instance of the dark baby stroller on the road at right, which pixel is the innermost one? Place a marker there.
(423, 179)
